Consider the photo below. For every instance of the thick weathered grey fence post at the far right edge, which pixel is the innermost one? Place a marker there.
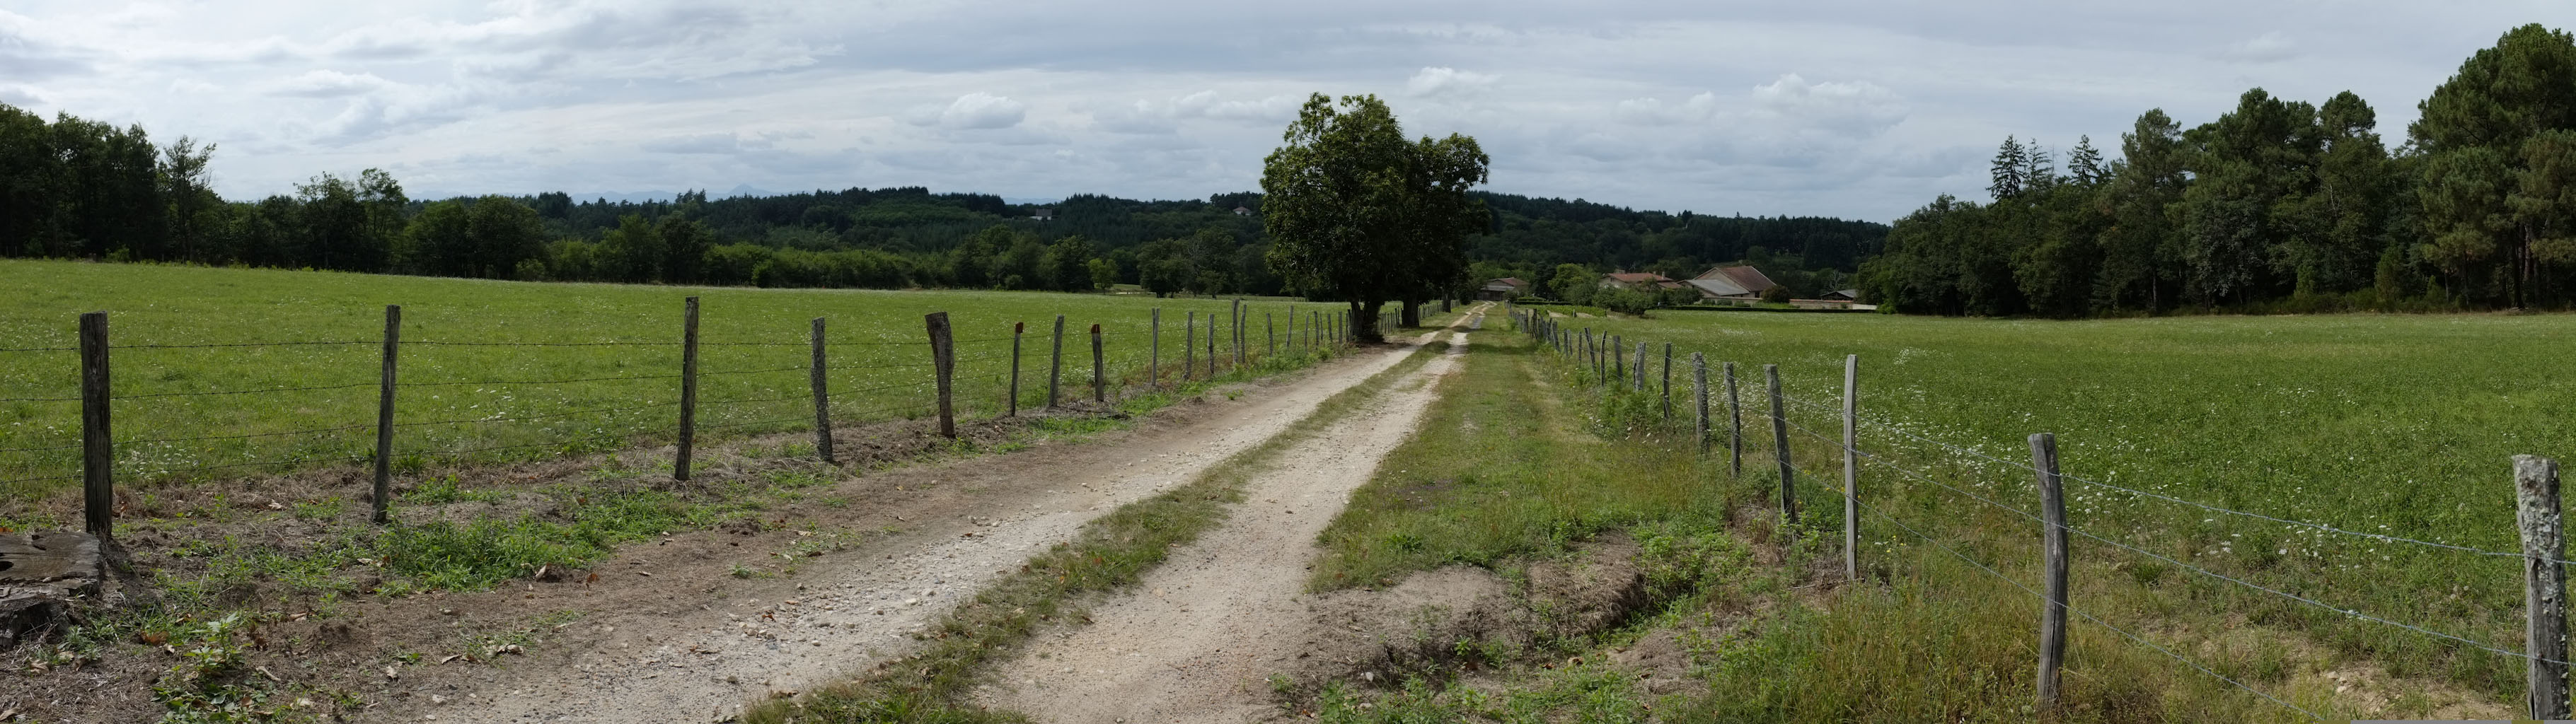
(2544, 586)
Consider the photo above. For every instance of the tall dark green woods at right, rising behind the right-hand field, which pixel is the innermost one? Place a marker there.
(2276, 207)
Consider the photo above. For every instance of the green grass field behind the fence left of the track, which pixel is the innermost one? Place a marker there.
(475, 354)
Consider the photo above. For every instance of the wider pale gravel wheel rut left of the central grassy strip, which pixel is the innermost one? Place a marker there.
(699, 653)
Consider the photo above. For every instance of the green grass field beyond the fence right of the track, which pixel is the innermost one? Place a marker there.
(2400, 426)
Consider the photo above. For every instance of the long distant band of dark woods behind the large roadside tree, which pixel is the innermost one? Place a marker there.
(84, 189)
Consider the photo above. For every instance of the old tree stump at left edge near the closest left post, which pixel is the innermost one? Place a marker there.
(40, 581)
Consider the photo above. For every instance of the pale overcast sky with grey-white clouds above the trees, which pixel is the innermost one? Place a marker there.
(1823, 107)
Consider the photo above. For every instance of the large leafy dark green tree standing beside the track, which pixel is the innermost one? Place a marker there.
(1359, 213)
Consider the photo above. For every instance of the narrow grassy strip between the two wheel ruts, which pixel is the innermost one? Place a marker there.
(1114, 553)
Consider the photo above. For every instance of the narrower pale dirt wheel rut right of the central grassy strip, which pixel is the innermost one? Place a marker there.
(1209, 625)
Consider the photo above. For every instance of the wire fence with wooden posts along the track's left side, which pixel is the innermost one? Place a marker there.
(511, 401)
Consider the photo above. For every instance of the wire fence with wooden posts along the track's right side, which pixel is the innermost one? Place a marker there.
(1606, 362)
